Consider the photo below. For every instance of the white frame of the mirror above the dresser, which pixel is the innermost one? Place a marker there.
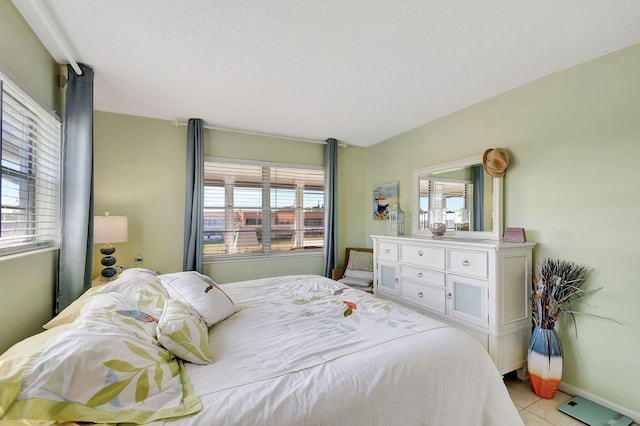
(497, 200)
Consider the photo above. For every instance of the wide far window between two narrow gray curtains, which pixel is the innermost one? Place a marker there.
(256, 208)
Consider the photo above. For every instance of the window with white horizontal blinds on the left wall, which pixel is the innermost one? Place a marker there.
(30, 172)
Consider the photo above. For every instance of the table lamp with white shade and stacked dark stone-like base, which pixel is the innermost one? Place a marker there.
(107, 230)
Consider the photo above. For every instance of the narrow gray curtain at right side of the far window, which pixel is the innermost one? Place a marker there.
(330, 206)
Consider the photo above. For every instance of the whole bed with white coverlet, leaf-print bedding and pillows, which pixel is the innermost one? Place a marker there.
(177, 349)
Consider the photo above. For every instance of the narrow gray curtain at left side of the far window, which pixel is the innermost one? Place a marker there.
(194, 203)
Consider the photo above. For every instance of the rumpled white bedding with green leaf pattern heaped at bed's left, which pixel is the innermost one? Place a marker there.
(104, 366)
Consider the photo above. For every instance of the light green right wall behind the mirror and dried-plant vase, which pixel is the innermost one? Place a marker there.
(574, 138)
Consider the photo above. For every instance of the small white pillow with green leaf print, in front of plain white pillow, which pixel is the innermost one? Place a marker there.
(183, 333)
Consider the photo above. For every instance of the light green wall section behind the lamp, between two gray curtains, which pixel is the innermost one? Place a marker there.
(139, 169)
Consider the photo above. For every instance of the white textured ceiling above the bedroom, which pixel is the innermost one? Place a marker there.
(359, 71)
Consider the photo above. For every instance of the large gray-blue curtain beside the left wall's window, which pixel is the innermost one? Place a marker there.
(76, 250)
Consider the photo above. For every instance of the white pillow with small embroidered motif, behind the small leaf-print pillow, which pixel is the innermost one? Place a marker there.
(201, 293)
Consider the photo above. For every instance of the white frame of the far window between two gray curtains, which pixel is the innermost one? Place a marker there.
(267, 210)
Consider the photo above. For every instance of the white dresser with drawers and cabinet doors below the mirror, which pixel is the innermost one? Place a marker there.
(480, 286)
